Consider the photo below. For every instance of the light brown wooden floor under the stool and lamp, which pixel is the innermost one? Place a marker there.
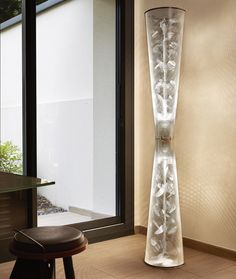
(123, 258)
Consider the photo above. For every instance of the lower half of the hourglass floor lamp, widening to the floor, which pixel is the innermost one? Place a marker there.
(164, 236)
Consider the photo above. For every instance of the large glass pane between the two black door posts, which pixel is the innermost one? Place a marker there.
(76, 111)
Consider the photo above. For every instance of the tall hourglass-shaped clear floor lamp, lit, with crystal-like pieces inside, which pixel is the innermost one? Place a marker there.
(164, 28)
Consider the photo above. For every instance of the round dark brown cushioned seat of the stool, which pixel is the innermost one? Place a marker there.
(48, 242)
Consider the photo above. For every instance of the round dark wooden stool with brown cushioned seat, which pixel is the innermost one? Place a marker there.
(37, 248)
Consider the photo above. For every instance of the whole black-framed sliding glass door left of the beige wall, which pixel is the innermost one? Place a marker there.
(67, 109)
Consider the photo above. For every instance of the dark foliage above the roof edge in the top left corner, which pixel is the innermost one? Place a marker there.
(11, 8)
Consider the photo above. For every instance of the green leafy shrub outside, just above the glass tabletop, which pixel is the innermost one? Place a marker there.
(10, 158)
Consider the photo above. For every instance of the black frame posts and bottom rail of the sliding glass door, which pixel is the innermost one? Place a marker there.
(123, 223)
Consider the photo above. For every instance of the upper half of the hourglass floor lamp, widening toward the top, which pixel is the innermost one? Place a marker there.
(164, 36)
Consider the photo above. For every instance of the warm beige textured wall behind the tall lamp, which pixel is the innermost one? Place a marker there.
(205, 133)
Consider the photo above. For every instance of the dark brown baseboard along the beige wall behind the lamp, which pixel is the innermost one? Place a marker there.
(198, 245)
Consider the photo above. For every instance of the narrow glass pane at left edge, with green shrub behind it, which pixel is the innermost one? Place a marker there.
(11, 99)
